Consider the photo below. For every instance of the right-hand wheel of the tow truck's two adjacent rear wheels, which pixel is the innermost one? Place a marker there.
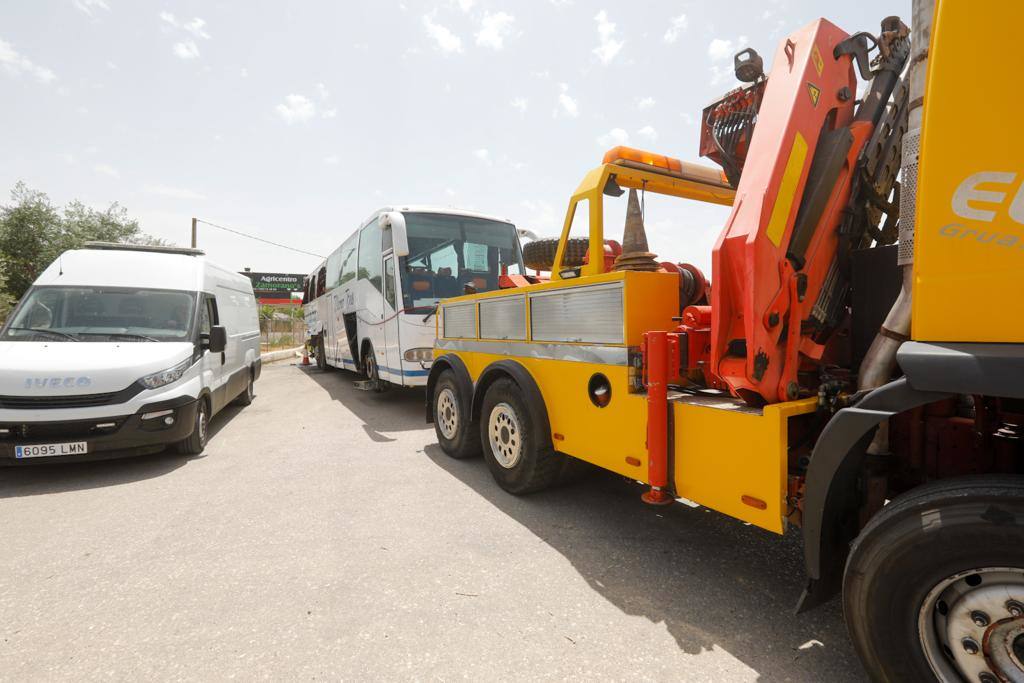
(511, 446)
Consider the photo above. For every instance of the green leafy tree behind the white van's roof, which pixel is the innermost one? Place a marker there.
(34, 233)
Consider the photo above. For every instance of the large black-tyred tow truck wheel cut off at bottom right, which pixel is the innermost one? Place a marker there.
(934, 585)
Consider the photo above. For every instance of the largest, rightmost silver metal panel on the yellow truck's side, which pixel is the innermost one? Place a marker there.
(588, 315)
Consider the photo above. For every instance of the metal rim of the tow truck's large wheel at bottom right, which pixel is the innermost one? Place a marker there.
(972, 626)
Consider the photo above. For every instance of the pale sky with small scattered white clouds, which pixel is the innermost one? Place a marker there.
(296, 120)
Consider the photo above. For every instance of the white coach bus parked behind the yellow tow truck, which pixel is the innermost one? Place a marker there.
(370, 307)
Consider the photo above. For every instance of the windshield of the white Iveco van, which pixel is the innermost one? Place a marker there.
(92, 314)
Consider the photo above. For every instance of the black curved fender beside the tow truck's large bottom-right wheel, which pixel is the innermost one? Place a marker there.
(831, 496)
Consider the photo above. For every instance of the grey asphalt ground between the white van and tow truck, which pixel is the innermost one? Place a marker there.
(324, 535)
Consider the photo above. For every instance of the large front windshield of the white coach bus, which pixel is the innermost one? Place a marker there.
(450, 255)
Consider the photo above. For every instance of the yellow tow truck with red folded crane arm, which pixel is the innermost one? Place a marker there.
(856, 364)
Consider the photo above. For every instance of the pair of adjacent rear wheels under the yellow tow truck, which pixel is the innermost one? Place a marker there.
(504, 431)
